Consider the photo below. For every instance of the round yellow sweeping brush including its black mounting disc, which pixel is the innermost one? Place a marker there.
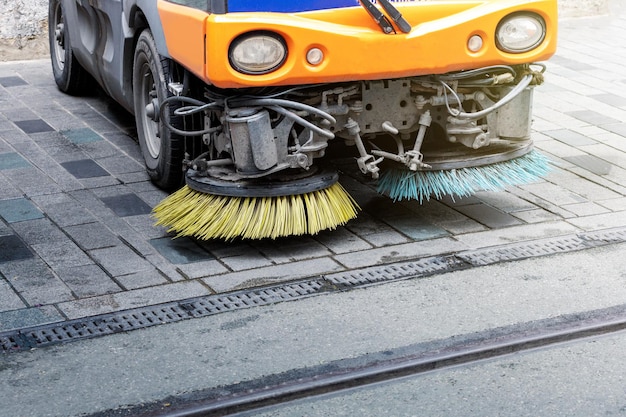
(256, 209)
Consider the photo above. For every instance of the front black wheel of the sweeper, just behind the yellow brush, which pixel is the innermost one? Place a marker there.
(163, 151)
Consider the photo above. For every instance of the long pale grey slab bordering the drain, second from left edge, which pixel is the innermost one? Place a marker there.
(133, 299)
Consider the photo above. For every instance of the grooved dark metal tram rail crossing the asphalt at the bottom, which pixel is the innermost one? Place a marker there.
(273, 391)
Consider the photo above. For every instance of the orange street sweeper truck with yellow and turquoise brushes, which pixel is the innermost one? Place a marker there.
(236, 102)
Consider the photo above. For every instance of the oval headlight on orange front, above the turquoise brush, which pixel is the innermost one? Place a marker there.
(520, 32)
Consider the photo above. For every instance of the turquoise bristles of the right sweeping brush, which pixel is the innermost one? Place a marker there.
(402, 184)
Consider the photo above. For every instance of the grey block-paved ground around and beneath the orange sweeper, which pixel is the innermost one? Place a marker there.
(77, 238)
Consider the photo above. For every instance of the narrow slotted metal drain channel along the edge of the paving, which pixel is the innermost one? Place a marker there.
(124, 321)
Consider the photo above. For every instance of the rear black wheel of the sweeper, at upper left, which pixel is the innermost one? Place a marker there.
(70, 77)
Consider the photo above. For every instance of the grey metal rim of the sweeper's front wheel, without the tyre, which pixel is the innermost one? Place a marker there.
(149, 112)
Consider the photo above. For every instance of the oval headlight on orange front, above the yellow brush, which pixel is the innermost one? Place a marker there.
(257, 53)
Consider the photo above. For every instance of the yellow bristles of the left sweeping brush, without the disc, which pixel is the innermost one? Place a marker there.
(206, 216)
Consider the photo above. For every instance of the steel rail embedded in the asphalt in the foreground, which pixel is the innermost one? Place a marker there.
(257, 395)
